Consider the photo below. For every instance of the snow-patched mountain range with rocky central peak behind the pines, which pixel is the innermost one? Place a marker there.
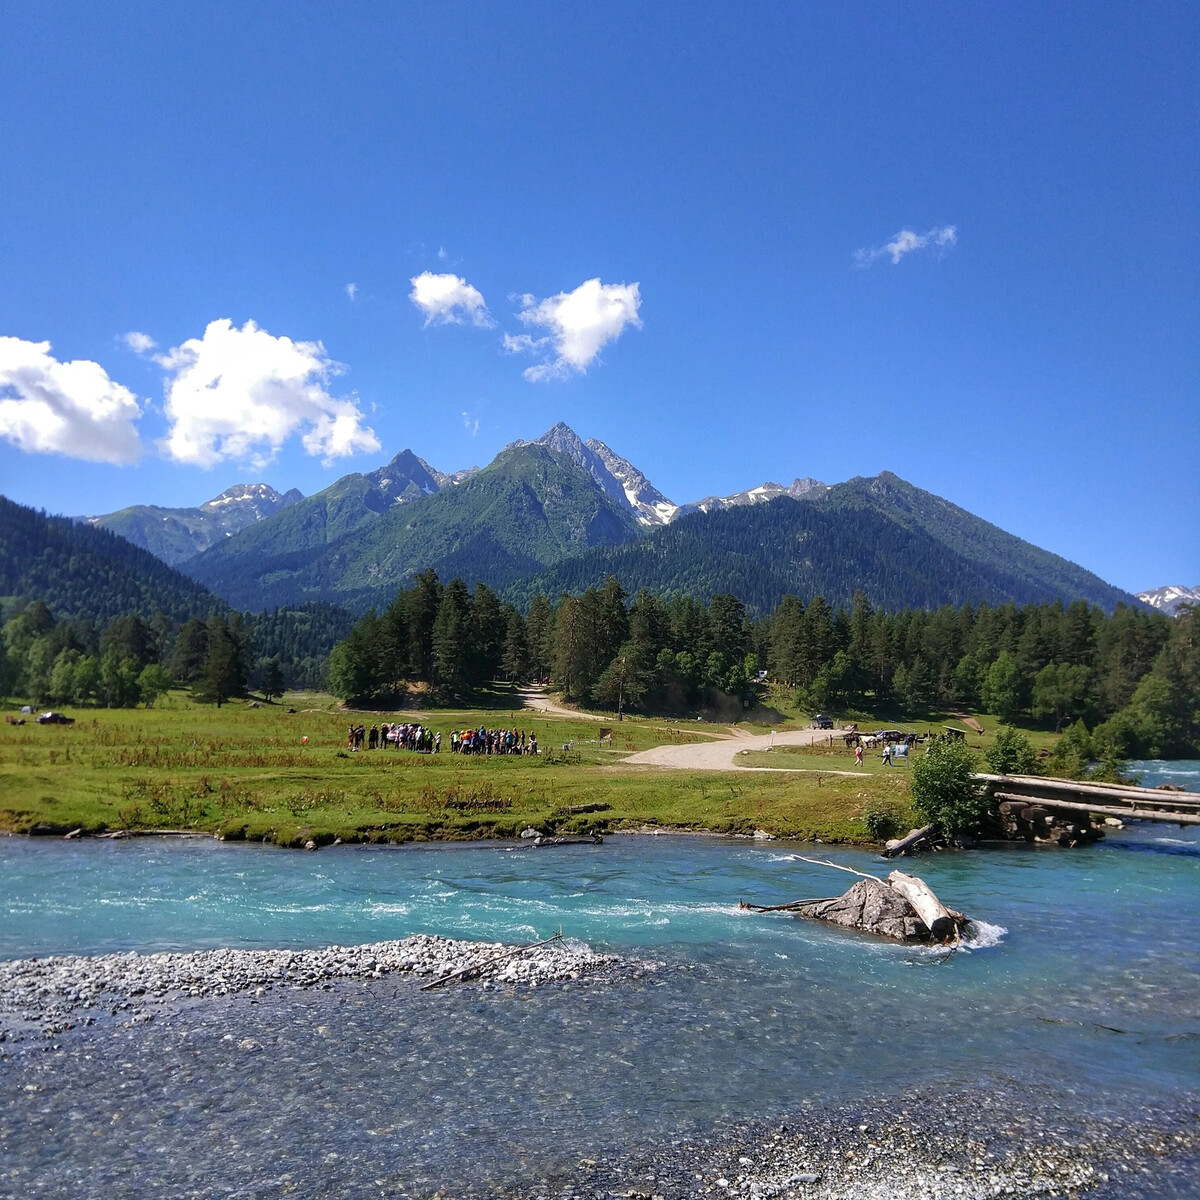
(561, 513)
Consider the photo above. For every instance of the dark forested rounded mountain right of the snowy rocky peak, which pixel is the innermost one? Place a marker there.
(898, 545)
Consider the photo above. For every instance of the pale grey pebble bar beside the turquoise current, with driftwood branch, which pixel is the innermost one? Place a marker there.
(55, 994)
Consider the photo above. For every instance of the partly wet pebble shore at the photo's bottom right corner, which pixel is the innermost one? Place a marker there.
(932, 1145)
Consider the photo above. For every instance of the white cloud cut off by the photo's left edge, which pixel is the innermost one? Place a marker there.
(70, 409)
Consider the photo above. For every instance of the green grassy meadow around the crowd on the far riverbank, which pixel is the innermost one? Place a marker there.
(247, 772)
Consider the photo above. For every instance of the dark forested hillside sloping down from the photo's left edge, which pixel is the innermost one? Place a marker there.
(82, 572)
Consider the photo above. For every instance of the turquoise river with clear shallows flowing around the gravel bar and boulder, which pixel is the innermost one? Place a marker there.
(1070, 1028)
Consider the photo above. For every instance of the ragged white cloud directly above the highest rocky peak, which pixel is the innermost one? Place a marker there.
(579, 325)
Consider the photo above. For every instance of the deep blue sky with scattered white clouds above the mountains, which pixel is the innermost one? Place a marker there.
(1028, 350)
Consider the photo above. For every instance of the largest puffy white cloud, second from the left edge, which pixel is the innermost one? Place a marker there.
(239, 394)
